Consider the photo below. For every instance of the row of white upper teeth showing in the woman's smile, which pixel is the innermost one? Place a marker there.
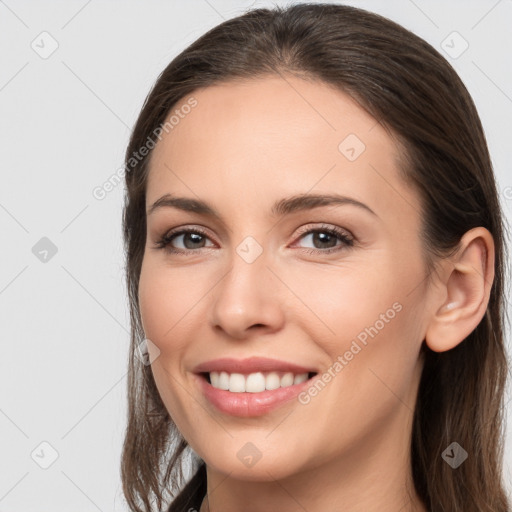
(254, 382)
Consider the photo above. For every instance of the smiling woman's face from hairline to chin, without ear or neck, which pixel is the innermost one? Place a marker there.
(336, 288)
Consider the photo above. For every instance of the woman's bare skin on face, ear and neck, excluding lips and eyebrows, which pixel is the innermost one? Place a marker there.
(246, 145)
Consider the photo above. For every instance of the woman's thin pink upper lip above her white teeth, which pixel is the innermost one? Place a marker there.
(250, 365)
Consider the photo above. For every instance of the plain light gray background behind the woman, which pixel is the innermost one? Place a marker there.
(64, 125)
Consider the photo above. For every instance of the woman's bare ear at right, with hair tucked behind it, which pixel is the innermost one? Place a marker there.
(463, 296)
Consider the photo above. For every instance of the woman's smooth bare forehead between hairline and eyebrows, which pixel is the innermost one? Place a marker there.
(261, 139)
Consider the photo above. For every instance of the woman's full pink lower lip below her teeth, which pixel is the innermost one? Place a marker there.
(248, 405)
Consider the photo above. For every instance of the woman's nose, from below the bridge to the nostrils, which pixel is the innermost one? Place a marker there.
(247, 300)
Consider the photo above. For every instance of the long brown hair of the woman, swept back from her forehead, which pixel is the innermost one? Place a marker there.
(412, 90)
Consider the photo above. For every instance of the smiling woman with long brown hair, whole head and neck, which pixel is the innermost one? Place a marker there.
(362, 371)
